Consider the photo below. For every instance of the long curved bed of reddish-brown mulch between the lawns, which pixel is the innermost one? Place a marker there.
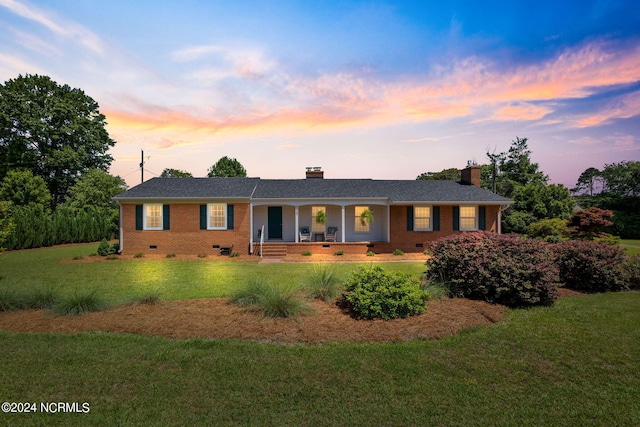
(215, 318)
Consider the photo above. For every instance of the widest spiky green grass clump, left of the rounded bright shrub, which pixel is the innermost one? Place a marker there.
(270, 299)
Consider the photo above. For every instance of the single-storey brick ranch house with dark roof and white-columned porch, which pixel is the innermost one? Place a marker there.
(205, 215)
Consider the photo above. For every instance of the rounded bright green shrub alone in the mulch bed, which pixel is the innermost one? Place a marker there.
(372, 292)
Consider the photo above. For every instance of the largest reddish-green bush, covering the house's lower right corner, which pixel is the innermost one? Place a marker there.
(503, 269)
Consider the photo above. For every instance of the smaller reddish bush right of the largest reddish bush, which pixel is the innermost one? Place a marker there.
(590, 266)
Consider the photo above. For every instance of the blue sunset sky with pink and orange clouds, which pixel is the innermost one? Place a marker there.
(383, 90)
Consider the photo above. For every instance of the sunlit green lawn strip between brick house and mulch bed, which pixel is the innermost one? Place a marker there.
(120, 281)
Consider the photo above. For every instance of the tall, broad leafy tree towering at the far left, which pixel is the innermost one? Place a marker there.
(55, 131)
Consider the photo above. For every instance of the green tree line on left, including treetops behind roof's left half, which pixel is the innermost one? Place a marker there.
(54, 184)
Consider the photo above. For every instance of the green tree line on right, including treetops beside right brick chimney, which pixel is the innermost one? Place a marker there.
(514, 175)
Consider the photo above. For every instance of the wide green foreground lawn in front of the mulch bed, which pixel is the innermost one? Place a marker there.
(577, 363)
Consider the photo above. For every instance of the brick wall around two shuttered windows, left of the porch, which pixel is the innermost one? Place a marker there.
(184, 235)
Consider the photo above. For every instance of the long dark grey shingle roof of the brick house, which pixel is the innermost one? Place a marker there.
(395, 191)
